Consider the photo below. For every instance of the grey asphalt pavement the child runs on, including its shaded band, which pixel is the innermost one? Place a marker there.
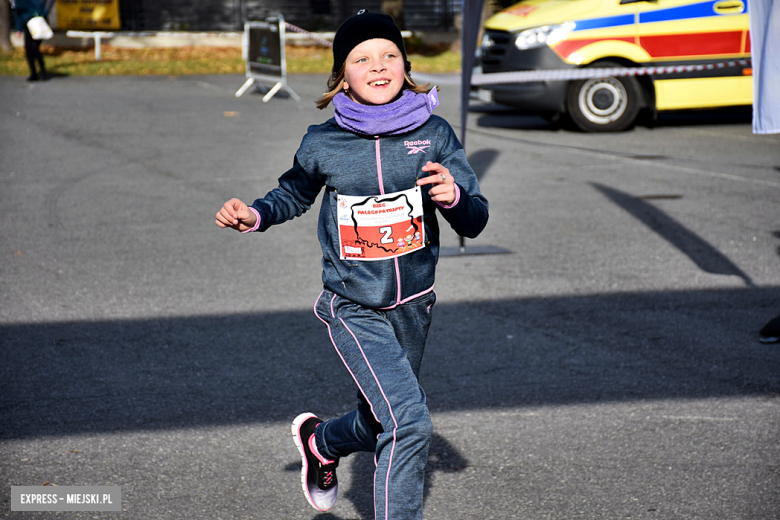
(606, 366)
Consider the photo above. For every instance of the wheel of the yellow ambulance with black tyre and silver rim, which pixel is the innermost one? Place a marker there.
(604, 104)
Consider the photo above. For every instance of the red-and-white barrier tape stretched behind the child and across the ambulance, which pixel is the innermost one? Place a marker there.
(498, 78)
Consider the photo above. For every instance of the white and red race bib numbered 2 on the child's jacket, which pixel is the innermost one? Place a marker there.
(380, 226)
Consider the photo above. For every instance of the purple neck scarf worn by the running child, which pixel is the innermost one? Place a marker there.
(405, 114)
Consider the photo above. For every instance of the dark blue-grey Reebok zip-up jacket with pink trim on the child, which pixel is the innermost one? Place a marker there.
(347, 163)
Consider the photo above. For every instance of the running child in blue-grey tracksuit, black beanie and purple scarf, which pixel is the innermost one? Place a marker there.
(387, 166)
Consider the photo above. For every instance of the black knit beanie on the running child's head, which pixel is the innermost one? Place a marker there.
(361, 27)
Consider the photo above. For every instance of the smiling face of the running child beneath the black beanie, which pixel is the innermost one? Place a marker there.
(374, 73)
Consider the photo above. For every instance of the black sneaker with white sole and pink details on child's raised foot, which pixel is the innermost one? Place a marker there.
(318, 474)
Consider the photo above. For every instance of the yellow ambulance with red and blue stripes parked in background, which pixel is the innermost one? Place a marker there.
(560, 34)
